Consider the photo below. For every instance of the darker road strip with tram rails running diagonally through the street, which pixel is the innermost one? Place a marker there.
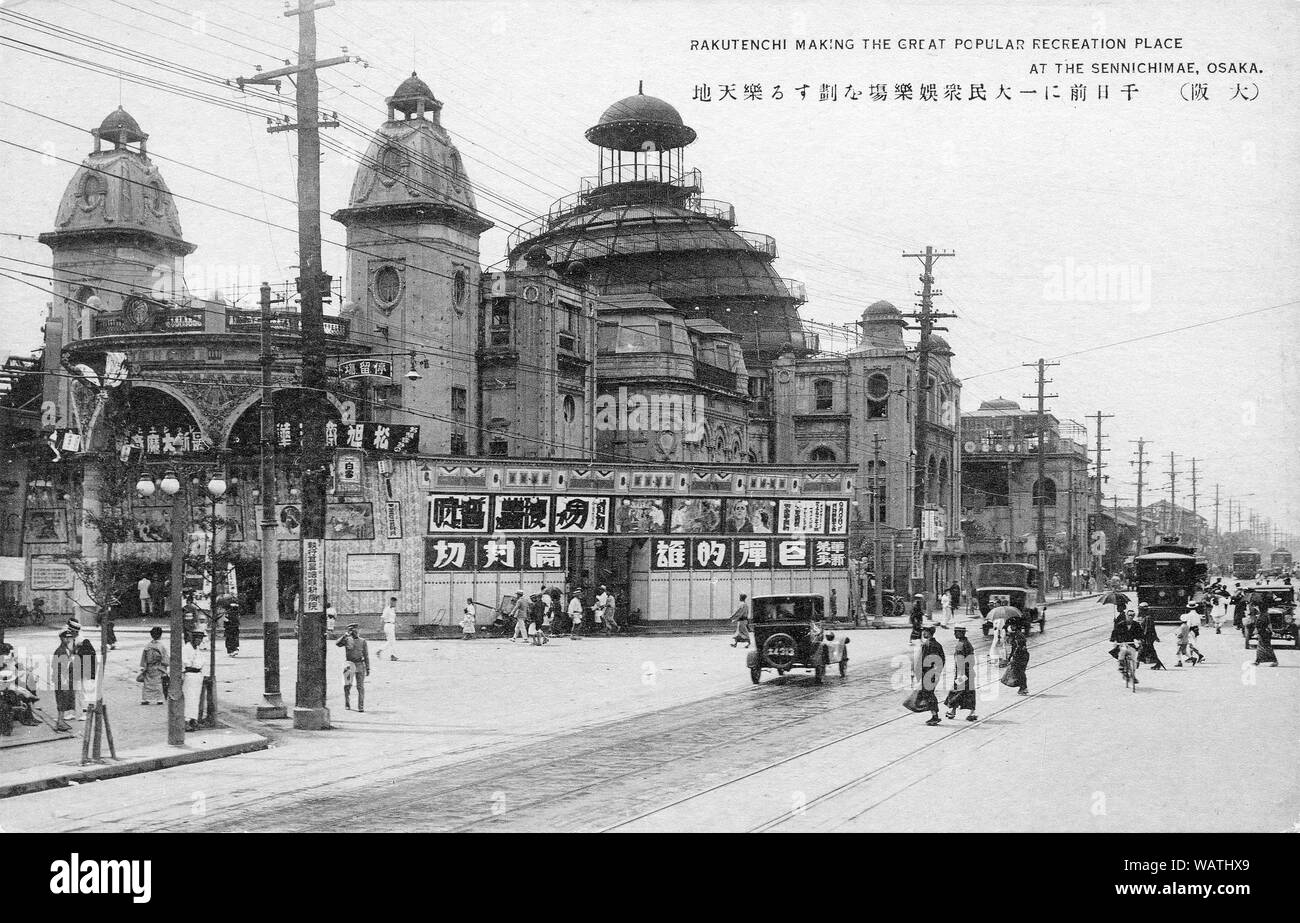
(674, 748)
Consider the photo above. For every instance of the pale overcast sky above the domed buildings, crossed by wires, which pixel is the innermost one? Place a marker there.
(1082, 231)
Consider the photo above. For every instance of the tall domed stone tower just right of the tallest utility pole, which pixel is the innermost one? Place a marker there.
(413, 237)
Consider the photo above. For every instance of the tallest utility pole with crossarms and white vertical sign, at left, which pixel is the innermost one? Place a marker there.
(310, 710)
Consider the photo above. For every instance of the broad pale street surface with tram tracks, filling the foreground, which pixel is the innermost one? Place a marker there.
(669, 734)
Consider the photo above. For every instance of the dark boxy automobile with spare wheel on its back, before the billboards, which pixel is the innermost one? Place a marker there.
(790, 634)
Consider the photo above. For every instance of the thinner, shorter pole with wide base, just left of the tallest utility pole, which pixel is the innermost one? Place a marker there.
(272, 704)
